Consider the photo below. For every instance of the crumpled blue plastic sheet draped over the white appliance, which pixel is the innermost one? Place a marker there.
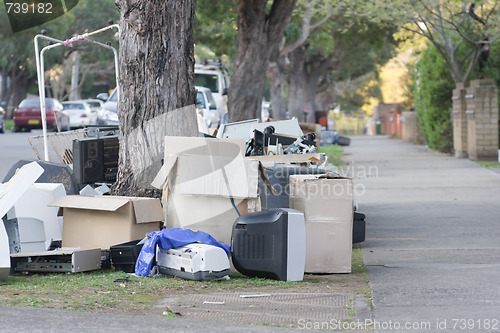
(171, 239)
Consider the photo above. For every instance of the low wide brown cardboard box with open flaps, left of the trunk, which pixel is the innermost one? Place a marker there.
(103, 221)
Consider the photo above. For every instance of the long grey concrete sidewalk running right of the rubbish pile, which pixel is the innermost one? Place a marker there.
(433, 237)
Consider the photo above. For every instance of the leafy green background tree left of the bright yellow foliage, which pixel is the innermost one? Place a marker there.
(341, 49)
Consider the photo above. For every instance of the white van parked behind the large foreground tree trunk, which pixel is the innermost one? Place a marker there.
(215, 79)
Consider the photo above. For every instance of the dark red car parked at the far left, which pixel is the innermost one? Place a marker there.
(28, 116)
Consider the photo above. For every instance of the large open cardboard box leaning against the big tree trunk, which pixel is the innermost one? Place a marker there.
(200, 177)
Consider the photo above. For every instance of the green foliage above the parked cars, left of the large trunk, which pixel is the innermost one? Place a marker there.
(17, 49)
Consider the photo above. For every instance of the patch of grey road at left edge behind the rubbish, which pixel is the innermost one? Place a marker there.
(14, 147)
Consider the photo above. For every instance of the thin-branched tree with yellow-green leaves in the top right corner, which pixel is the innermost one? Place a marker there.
(461, 30)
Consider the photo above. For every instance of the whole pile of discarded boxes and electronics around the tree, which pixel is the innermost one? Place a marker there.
(259, 195)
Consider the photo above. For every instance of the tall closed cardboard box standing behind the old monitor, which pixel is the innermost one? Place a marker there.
(327, 204)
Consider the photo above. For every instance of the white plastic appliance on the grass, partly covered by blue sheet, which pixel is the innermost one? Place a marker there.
(199, 262)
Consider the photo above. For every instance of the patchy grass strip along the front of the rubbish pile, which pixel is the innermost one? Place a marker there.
(99, 291)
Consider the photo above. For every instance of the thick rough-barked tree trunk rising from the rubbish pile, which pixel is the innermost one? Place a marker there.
(157, 95)
